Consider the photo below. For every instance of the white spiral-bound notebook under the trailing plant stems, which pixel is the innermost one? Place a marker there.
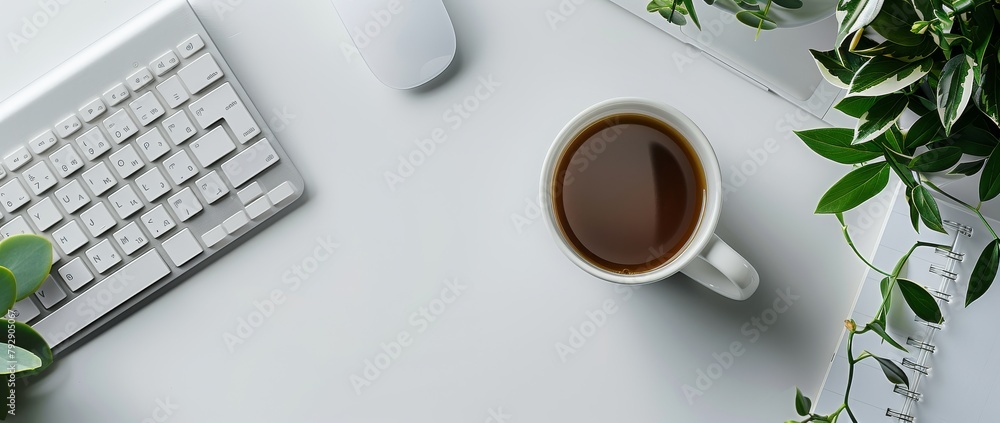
(953, 368)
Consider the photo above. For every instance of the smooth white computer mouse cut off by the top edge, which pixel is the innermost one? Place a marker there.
(406, 43)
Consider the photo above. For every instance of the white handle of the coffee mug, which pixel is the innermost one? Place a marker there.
(720, 268)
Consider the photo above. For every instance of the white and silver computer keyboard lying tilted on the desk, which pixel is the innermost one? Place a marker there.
(139, 158)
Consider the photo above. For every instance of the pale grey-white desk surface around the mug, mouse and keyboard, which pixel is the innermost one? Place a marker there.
(495, 347)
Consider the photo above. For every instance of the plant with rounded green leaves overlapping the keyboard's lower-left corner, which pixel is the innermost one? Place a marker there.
(25, 262)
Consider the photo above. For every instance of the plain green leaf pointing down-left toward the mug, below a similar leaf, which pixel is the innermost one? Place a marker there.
(856, 187)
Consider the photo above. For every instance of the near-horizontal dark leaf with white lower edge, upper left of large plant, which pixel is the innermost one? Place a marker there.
(883, 75)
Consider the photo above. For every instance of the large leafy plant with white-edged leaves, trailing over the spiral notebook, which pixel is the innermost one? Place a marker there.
(939, 60)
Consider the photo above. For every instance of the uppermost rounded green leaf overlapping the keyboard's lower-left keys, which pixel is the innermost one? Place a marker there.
(29, 258)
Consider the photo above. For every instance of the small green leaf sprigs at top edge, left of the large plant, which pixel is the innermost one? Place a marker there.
(754, 13)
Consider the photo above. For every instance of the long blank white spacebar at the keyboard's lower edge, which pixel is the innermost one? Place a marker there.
(102, 298)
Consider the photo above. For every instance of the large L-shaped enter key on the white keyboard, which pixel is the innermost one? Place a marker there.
(223, 103)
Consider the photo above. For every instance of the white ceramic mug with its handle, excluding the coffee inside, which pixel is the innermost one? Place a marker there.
(704, 257)
